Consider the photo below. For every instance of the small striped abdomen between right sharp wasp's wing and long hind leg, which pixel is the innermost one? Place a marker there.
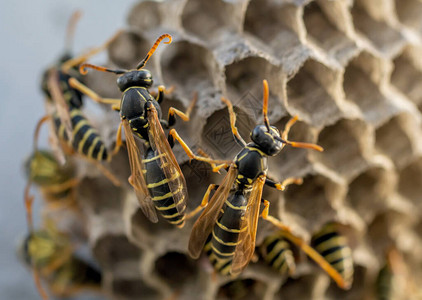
(277, 253)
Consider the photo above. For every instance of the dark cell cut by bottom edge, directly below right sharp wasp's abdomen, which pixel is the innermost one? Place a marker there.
(242, 289)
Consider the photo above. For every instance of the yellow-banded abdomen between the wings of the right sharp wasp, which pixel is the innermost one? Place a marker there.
(225, 234)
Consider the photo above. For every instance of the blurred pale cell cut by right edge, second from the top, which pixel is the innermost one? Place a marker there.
(406, 77)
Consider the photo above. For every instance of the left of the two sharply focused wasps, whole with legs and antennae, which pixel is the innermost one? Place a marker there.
(155, 174)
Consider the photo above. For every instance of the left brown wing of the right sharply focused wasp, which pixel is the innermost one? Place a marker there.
(203, 226)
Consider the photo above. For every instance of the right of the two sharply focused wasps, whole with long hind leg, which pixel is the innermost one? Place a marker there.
(231, 215)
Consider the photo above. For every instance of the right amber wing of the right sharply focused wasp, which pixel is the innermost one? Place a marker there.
(246, 247)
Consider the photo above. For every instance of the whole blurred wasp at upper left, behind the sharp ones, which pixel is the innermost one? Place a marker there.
(72, 132)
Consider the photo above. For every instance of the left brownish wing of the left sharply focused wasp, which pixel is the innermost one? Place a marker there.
(137, 179)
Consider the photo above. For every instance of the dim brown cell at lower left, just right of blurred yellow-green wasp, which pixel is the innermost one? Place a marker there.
(111, 250)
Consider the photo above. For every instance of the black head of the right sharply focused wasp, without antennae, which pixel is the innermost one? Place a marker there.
(267, 141)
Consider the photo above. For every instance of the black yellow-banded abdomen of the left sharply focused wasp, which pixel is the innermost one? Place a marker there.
(158, 187)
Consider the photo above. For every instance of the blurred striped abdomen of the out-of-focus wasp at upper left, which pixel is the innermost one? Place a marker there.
(86, 140)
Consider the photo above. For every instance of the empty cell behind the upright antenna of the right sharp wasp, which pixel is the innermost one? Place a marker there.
(244, 87)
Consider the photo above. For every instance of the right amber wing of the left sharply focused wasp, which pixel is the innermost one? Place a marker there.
(169, 165)
